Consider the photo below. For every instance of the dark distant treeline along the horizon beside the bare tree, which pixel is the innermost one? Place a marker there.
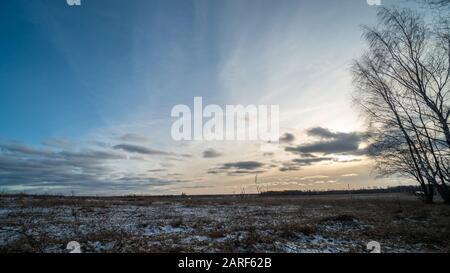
(397, 189)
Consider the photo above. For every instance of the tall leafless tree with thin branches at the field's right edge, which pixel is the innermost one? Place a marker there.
(403, 88)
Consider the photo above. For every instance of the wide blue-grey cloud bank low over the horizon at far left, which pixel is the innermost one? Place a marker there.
(86, 171)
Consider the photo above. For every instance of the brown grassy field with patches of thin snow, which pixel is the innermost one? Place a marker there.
(329, 223)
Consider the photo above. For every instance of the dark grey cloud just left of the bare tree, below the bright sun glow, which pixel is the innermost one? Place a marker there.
(331, 143)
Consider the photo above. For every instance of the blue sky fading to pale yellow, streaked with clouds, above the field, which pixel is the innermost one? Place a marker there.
(86, 94)
